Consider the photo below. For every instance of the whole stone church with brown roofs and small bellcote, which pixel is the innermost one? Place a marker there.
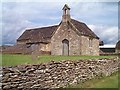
(70, 37)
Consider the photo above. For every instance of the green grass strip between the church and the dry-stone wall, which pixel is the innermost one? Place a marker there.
(16, 59)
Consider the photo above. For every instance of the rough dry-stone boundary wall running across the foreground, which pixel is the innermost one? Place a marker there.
(56, 74)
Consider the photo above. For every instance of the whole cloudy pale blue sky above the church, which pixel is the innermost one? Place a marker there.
(16, 17)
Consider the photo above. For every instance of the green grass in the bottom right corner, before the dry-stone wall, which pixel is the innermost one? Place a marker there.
(104, 82)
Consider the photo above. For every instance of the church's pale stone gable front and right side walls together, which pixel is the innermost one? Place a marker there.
(78, 45)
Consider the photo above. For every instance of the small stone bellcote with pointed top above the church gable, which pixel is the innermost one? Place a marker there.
(66, 13)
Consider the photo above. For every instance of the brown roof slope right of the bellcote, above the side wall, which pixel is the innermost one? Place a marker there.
(83, 29)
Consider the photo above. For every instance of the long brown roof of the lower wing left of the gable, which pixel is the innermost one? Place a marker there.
(38, 34)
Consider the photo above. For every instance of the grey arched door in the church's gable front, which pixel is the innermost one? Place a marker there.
(65, 48)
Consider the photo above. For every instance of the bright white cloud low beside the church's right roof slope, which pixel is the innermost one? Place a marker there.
(108, 34)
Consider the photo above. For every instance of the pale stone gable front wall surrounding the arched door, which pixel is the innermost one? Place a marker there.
(63, 32)
